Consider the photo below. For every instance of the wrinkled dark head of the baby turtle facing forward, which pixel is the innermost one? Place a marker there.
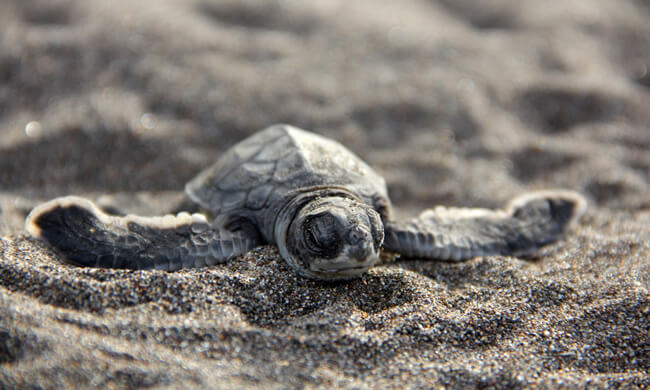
(331, 238)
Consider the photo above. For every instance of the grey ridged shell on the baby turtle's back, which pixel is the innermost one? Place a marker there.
(264, 168)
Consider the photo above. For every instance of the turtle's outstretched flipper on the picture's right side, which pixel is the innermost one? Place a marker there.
(526, 224)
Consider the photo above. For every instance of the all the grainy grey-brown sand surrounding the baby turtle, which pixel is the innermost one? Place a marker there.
(454, 102)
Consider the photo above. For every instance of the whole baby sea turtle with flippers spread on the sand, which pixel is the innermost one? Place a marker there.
(326, 210)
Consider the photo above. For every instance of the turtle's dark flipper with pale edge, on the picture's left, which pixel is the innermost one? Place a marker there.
(87, 236)
